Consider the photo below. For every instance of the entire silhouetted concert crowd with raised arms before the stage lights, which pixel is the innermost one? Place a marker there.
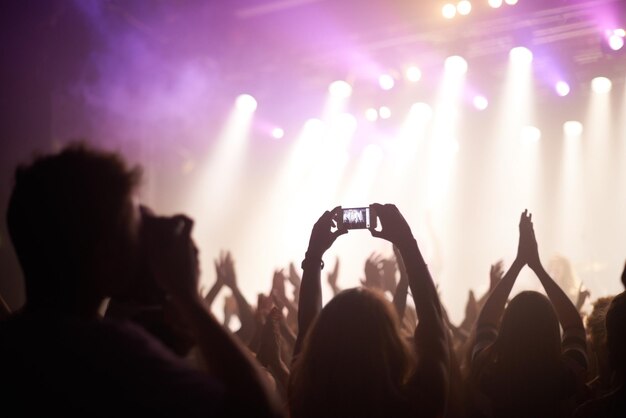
(115, 325)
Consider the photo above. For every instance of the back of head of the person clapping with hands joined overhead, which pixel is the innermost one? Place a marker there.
(529, 335)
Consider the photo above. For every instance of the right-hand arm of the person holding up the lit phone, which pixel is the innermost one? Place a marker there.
(432, 375)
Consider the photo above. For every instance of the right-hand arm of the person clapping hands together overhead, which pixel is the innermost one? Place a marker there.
(566, 311)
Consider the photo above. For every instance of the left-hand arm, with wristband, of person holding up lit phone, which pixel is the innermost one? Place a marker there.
(310, 303)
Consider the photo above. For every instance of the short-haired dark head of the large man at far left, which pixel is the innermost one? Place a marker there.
(67, 214)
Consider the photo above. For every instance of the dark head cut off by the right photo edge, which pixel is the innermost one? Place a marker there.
(616, 333)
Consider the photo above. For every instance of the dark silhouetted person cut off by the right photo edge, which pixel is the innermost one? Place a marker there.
(612, 405)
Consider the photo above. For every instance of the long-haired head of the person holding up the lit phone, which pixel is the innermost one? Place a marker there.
(354, 361)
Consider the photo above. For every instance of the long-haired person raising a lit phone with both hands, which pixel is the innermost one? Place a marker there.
(351, 360)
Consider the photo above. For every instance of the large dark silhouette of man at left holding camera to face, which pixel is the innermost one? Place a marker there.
(78, 234)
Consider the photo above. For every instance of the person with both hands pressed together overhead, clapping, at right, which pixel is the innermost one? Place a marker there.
(521, 367)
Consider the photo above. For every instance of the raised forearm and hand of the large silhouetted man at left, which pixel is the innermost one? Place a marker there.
(175, 267)
